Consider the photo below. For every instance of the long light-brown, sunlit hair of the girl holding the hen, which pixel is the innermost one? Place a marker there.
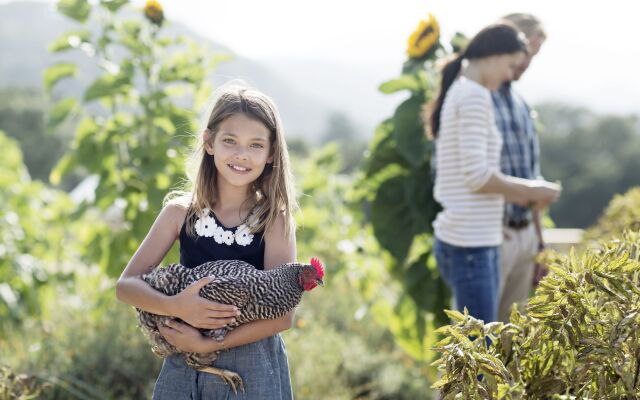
(272, 193)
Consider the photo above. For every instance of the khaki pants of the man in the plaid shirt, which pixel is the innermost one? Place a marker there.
(517, 253)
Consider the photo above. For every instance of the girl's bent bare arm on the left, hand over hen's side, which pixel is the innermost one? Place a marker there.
(187, 305)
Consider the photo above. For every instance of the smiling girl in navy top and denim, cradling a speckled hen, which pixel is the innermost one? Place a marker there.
(240, 207)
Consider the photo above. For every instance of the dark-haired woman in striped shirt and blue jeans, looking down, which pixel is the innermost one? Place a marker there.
(468, 183)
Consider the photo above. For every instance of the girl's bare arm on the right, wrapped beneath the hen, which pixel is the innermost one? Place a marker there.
(278, 250)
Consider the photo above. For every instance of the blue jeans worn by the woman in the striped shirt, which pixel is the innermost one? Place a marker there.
(473, 275)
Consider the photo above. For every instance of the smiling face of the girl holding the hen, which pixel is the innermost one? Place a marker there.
(241, 149)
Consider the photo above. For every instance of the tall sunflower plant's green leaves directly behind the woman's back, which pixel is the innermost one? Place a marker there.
(397, 185)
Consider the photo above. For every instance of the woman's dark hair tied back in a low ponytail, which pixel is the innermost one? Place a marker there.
(497, 39)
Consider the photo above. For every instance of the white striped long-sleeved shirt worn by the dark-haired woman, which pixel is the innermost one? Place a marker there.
(467, 154)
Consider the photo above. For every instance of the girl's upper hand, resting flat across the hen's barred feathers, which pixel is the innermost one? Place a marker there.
(199, 312)
